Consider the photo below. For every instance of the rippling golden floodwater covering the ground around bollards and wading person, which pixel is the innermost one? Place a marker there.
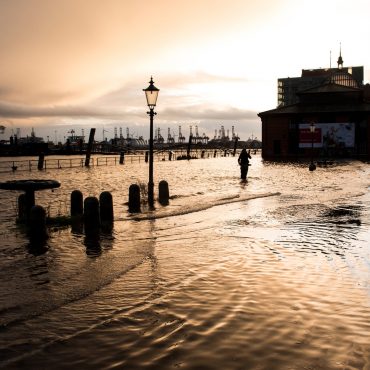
(272, 273)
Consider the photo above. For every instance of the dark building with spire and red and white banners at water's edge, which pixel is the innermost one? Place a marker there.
(337, 110)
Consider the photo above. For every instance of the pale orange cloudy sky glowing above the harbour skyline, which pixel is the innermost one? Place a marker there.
(76, 64)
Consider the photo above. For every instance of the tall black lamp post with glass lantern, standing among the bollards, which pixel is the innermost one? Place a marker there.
(151, 93)
